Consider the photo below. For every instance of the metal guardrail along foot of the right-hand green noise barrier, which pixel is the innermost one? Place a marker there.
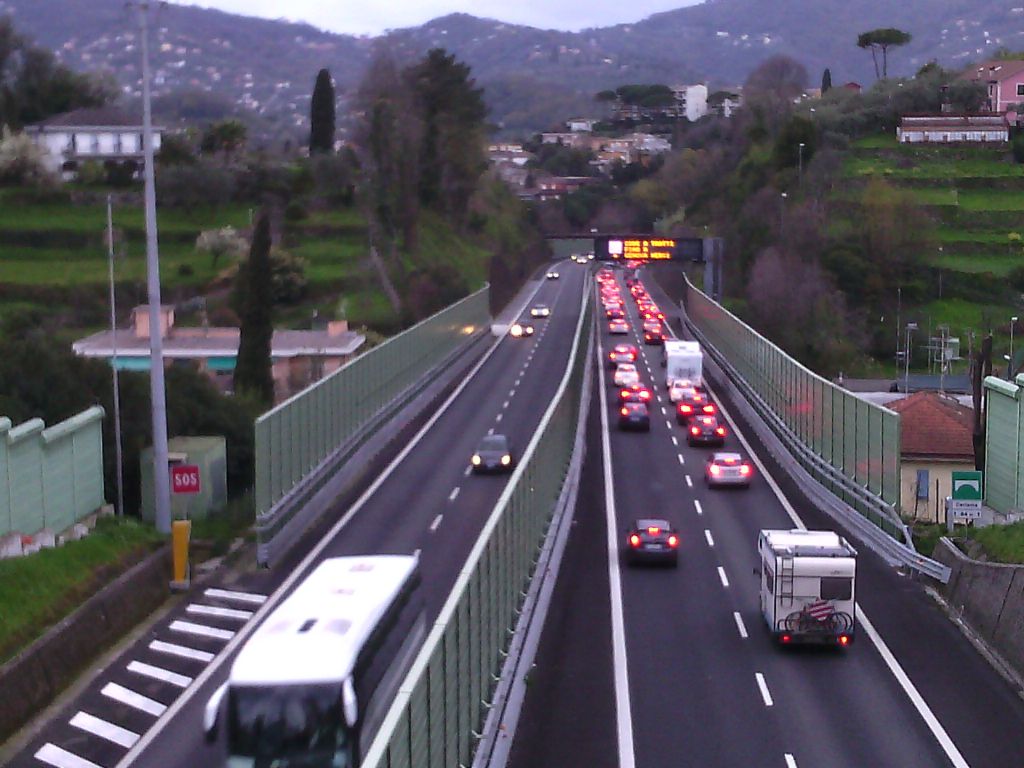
(876, 521)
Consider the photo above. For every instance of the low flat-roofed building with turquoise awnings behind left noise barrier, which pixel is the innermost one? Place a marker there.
(301, 358)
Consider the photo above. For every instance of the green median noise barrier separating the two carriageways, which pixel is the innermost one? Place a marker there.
(436, 719)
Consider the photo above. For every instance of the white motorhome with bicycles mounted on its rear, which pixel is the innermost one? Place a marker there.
(808, 586)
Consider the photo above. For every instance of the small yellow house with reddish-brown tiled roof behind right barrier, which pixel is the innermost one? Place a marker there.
(935, 441)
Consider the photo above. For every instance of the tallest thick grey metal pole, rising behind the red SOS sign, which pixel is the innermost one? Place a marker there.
(161, 481)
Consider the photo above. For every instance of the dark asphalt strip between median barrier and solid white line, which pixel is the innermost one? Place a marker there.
(569, 715)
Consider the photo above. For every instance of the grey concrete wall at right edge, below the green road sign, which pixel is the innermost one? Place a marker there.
(991, 599)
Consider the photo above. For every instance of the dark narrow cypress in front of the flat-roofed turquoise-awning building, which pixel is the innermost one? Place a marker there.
(253, 369)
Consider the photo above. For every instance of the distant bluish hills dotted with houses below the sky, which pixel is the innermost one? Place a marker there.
(534, 78)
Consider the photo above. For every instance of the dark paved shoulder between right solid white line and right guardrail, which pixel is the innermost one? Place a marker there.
(982, 712)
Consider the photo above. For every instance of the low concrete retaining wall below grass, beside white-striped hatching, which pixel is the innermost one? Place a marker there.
(37, 675)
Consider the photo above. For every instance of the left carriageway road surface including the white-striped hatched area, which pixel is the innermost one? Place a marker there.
(150, 699)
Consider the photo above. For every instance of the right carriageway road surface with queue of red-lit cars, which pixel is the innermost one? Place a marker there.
(690, 676)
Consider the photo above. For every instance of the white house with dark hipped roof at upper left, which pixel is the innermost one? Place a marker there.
(104, 136)
